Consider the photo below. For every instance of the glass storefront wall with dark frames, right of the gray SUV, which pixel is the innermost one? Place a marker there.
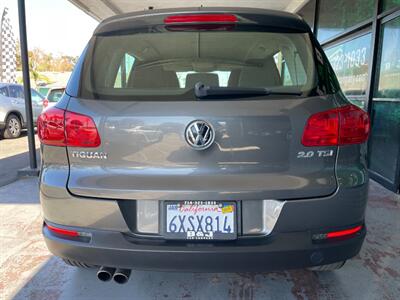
(361, 38)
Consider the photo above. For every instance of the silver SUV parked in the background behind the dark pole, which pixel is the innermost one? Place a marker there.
(12, 109)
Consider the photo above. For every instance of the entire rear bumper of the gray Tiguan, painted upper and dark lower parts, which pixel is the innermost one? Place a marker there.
(289, 245)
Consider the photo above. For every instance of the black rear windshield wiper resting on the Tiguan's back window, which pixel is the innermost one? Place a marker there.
(204, 91)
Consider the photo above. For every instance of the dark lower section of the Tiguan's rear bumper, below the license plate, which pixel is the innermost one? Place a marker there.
(275, 252)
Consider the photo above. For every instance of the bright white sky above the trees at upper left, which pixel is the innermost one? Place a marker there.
(56, 26)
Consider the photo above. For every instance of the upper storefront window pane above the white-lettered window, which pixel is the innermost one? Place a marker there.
(339, 15)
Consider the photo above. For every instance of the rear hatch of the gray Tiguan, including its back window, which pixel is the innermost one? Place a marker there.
(139, 89)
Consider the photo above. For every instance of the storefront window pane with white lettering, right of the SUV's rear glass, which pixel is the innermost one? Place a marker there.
(350, 60)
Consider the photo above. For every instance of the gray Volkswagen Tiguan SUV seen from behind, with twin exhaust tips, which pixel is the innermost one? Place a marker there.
(203, 140)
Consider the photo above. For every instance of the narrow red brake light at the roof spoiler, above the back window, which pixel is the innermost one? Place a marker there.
(201, 18)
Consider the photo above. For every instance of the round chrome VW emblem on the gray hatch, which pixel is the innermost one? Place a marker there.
(199, 135)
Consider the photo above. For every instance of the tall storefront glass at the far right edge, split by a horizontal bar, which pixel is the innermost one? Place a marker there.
(385, 134)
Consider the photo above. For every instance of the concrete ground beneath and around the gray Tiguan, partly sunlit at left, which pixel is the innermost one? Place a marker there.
(29, 271)
